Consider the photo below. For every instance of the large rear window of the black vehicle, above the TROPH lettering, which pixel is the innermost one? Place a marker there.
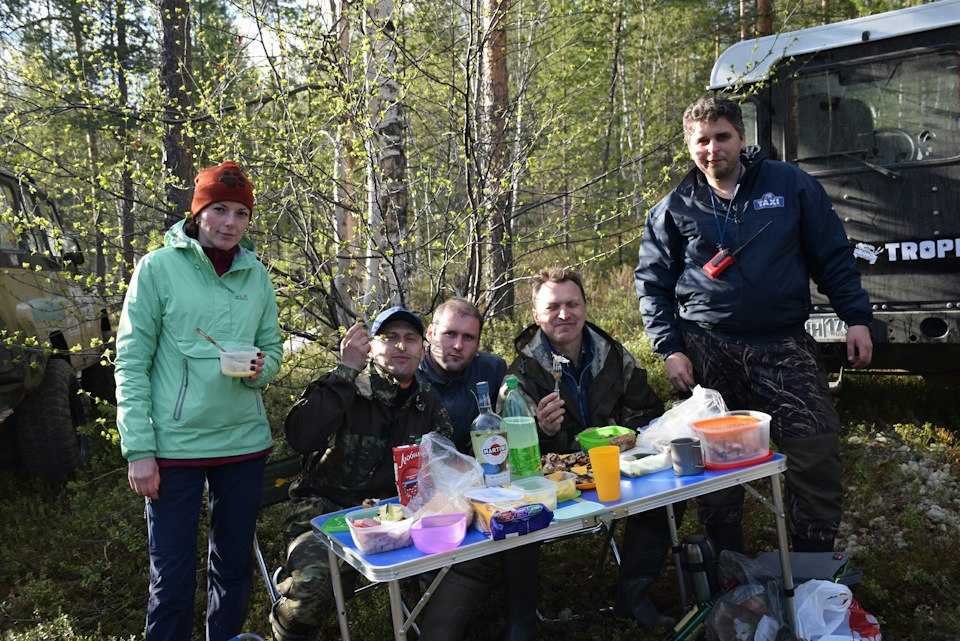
(885, 112)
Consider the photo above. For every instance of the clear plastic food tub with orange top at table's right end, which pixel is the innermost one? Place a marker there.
(734, 439)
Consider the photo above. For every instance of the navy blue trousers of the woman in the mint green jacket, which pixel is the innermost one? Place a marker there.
(173, 520)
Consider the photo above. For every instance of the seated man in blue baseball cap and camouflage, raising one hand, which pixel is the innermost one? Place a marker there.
(344, 426)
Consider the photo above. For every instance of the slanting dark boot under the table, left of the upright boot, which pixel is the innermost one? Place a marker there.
(458, 594)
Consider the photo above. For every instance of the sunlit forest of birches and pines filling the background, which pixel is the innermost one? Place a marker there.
(401, 152)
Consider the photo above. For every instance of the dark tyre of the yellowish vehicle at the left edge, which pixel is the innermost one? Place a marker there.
(47, 422)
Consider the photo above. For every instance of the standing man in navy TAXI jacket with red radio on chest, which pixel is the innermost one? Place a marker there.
(736, 325)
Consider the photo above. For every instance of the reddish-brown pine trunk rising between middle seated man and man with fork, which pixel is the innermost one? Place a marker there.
(494, 148)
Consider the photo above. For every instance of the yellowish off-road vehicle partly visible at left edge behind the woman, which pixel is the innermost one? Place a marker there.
(51, 331)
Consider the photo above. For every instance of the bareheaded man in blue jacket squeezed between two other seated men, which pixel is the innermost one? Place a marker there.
(453, 365)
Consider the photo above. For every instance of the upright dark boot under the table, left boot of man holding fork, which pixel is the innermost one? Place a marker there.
(520, 569)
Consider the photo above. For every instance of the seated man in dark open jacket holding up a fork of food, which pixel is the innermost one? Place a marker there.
(599, 384)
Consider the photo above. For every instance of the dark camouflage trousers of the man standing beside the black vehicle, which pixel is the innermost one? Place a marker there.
(785, 379)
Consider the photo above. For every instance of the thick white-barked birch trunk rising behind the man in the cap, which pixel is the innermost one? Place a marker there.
(386, 173)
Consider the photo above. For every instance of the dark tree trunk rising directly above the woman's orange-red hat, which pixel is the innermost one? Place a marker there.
(174, 78)
